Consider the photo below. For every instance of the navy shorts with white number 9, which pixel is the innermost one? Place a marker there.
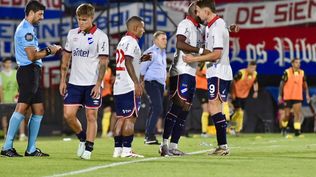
(218, 88)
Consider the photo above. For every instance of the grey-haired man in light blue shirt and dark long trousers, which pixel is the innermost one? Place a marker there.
(154, 74)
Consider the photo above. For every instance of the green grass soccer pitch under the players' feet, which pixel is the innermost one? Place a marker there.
(252, 155)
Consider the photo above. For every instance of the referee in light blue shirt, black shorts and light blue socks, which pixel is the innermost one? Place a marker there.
(29, 60)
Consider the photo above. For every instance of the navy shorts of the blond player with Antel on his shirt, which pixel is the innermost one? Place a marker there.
(81, 96)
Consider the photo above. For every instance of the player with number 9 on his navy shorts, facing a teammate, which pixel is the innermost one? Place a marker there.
(219, 74)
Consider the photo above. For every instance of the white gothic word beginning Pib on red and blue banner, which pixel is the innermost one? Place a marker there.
(287, 50)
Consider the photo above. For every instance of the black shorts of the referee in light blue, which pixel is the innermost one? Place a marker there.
(29, 78)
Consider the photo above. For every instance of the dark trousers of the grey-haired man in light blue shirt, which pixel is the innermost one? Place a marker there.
(155, 92)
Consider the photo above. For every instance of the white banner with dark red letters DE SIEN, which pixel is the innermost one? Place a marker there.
(269, 14)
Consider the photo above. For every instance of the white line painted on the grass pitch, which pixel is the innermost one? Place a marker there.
(118, 164)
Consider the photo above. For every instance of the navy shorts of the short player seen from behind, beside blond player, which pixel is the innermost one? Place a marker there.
(126, 105)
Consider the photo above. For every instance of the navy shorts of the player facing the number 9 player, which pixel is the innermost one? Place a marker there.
(184, 86)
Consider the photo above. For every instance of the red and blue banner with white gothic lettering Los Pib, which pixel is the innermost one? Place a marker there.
(274, 48)
